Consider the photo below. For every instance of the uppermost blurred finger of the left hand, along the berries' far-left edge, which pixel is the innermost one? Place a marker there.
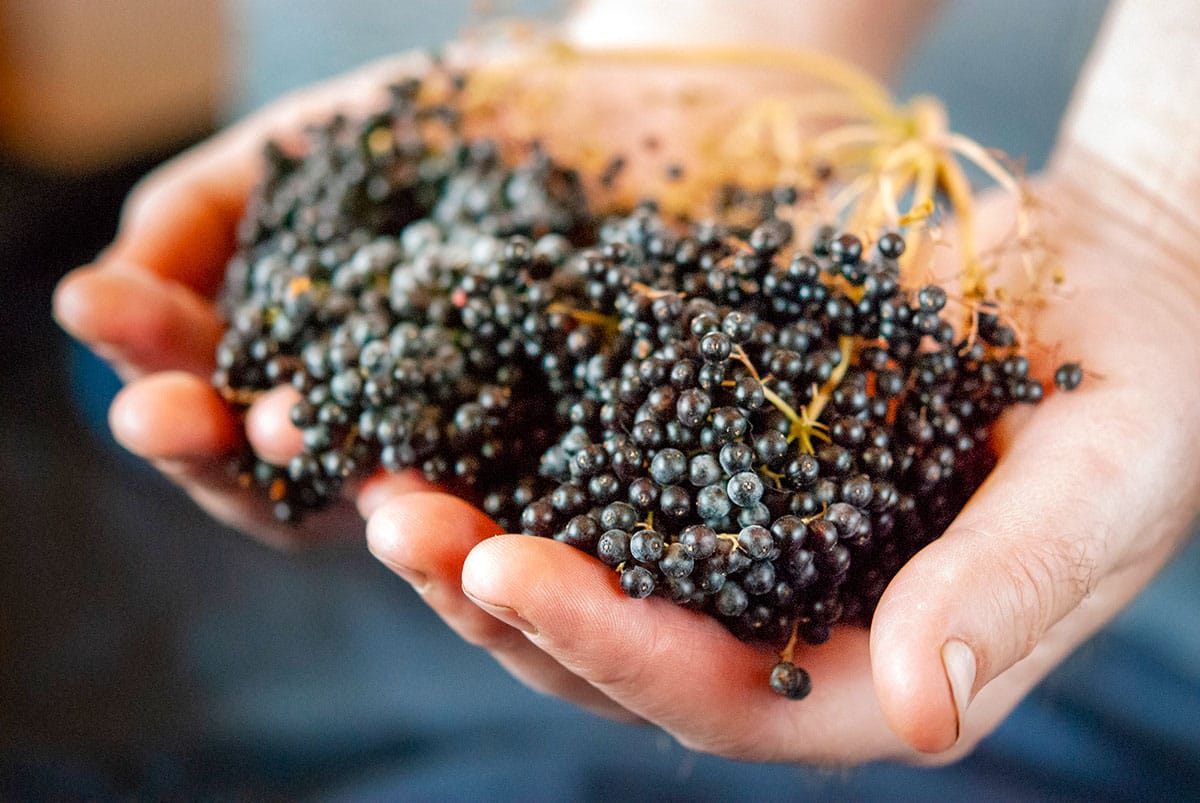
(181, 223)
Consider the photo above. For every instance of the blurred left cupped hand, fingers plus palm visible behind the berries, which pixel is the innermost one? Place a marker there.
(147, 303)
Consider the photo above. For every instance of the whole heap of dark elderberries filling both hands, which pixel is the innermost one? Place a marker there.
(751, 426)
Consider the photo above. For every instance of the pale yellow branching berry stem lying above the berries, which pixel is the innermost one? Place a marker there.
(880, 152)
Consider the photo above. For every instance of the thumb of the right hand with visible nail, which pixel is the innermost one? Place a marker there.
(1025, 552)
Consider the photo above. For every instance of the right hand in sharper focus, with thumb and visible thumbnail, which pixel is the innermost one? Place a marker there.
(1093, 494)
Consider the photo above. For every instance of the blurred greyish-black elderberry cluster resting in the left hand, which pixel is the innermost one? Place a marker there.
(381, 273)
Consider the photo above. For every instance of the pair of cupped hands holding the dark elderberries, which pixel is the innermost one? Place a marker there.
(1093, 493)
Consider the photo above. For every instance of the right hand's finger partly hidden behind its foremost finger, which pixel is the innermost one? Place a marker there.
(425, 538)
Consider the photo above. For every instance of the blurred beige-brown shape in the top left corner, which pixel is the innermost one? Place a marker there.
(86, 85)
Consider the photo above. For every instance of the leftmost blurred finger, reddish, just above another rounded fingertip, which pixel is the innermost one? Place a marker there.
(139, 322)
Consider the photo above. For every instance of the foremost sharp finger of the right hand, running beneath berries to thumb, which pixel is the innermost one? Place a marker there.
(681, 669)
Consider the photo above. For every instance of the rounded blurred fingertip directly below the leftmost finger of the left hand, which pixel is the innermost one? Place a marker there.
(173, 416)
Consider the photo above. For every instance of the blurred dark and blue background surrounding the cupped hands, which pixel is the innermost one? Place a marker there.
(147, 652)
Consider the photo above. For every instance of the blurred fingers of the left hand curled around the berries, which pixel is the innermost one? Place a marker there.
(147, 307)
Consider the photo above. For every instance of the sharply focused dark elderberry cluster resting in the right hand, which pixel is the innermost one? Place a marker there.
(769, 435)
